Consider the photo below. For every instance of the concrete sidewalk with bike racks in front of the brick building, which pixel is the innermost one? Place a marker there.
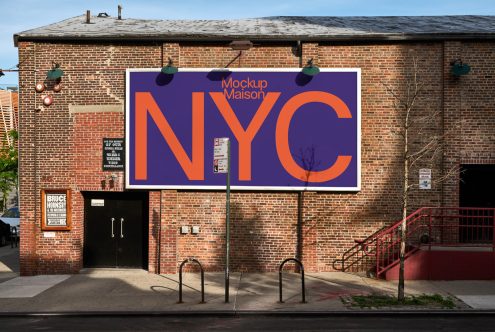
(120, 290)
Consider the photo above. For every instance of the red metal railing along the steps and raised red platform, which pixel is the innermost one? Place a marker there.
(435, 227)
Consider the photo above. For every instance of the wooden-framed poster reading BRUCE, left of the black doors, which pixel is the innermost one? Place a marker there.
(55, 210)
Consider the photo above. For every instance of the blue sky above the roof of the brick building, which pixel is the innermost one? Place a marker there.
(21, 15)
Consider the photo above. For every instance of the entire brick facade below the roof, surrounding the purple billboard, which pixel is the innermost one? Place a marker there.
(60, 148)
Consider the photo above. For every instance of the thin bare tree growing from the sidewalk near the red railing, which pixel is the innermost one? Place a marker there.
(418, 145)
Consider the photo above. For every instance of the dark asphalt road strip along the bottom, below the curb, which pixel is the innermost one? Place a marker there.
(252, 323)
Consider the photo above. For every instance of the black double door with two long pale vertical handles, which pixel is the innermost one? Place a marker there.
(115, 230)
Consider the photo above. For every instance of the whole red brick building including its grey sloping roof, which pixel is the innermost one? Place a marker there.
(61, 144)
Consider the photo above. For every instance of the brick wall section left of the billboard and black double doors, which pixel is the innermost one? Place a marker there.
(62, 149)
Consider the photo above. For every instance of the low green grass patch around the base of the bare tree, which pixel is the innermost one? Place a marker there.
(424, 300)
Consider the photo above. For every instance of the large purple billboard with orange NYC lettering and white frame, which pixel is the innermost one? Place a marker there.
(288, 131)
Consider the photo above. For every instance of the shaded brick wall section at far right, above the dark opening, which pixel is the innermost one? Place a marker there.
(469, 108)
